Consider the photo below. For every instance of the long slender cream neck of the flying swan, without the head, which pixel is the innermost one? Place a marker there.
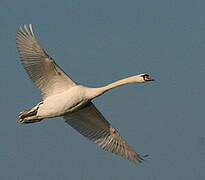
(99, 91)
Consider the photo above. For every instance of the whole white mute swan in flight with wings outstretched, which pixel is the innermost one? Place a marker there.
(64, 97)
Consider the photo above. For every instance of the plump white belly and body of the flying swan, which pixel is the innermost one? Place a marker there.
(62, 103)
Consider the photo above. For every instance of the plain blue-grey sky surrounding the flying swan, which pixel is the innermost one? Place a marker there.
(98, 42)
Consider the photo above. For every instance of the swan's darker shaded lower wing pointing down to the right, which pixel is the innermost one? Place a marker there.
(91, 124)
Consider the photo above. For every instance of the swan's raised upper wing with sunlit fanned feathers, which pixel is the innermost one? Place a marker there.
(41, 68)
